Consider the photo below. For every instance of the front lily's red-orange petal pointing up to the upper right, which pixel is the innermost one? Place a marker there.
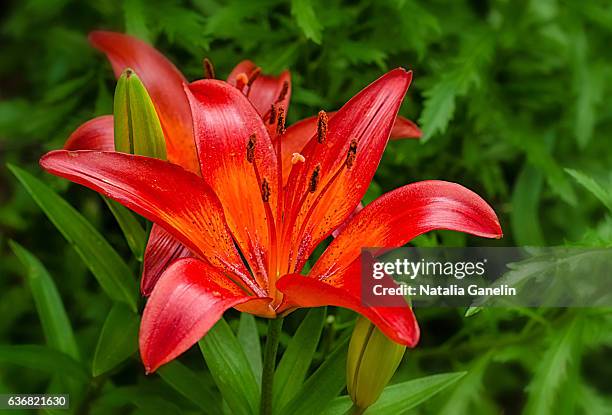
(367, 118)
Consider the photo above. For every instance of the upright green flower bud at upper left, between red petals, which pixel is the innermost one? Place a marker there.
(137, 126)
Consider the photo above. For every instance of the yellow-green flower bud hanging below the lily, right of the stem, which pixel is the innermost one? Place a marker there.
(371, 362)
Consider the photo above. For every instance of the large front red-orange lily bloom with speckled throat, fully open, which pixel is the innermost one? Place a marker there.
(239, 208)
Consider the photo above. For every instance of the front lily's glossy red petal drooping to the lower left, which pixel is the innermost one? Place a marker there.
(190, 297)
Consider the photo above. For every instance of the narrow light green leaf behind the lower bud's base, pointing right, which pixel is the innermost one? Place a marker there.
(400, 398)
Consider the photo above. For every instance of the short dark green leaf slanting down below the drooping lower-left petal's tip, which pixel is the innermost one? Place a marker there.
(189, 384)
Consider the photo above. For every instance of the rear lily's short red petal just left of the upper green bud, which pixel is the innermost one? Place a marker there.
(95, 134)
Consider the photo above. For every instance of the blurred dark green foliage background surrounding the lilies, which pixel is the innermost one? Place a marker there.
(514, 101)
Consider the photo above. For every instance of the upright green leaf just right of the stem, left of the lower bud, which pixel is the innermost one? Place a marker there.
(297, 357)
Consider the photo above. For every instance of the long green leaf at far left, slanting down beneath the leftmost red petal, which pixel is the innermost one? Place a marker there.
(113, 274)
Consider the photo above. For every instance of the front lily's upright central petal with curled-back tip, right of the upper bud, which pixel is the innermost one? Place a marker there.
(224, 120)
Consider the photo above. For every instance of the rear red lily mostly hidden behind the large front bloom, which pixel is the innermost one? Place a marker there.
(164, 83)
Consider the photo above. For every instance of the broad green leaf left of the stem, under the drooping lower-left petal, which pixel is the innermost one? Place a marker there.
(230, 369)
